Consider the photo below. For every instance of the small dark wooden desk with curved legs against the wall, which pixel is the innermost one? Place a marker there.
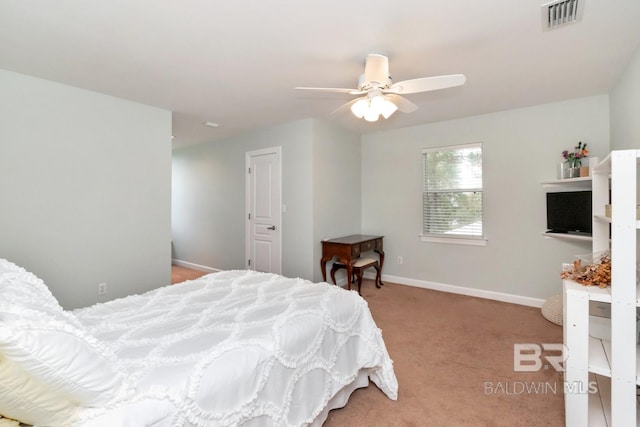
(347, 249)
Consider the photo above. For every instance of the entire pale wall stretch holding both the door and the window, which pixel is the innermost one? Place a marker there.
(337, 183)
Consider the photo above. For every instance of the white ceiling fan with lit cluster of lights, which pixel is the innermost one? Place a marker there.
(383, 97)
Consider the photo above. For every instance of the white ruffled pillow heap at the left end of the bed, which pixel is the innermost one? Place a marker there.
(44, 346)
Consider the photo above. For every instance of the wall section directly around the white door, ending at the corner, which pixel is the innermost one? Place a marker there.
(209, 199)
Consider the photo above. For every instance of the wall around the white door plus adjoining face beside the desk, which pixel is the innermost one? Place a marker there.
(320, 188)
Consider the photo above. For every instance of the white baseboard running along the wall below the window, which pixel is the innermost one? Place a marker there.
(479, 293)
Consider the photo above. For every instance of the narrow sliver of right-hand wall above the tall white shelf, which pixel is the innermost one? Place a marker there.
(625, 108)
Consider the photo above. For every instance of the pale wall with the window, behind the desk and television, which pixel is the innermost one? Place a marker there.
(521, 148)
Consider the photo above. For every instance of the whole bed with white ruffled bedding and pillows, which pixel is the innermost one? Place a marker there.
(231, 348)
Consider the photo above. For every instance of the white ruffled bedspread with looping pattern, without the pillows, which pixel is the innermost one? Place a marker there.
(237, 348)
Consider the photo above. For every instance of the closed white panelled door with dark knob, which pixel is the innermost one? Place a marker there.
(264, 211)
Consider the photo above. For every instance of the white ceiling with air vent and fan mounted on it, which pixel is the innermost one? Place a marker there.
(236, 62)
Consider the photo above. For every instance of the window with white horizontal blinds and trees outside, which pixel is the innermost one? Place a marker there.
(452, 195)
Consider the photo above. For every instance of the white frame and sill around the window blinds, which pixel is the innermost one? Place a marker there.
(459, 239)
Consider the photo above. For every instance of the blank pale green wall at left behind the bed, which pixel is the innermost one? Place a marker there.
(85, 183)
